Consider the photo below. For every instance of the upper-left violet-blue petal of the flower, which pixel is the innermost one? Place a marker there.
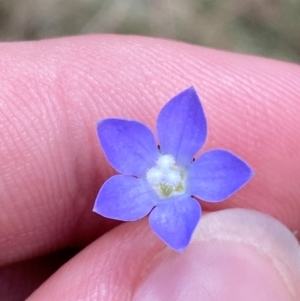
(128, 145)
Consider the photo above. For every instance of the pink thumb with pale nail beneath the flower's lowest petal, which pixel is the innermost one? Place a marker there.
(236, 254)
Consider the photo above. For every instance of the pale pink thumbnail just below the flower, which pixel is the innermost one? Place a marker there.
(236, 254)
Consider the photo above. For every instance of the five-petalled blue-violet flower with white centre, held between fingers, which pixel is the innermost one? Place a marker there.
(165, 180)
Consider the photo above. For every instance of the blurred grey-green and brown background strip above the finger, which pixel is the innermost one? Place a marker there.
(268, 28)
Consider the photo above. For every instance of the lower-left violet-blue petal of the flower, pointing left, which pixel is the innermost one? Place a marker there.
(125, 198)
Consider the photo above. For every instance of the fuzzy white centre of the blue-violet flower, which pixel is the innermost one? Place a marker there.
(166, 177)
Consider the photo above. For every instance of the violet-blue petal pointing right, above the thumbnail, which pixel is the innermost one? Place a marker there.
(218, 174)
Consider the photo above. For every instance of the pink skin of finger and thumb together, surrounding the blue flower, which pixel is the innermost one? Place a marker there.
(52, 94)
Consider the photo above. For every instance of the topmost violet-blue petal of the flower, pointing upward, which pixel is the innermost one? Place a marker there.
(181, 127)
